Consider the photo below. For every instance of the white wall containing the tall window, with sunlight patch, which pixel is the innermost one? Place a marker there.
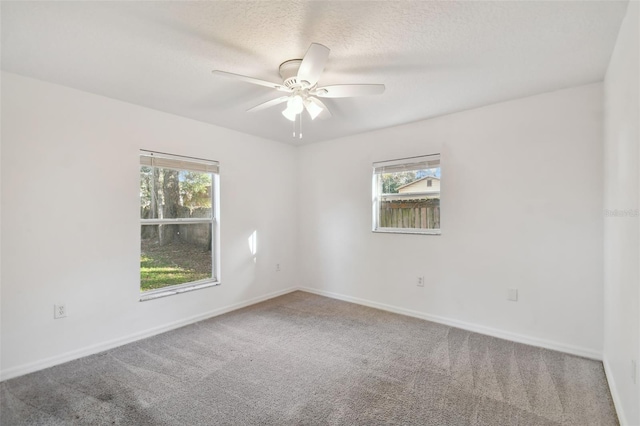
(70, 220)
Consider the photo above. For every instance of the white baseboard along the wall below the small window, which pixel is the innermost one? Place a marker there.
(507, 335)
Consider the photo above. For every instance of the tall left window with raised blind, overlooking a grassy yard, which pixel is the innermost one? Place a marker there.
(179, 224)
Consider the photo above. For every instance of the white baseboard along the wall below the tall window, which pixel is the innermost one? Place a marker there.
(100, 347)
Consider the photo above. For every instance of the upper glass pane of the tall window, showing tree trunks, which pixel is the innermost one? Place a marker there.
(172, 194)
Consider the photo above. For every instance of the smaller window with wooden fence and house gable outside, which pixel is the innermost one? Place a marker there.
(406, 195)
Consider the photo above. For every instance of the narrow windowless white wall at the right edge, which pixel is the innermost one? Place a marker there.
(621, 233)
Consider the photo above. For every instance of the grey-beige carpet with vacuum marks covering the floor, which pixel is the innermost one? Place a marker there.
(302, 359)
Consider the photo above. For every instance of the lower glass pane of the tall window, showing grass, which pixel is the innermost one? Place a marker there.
(175, 254)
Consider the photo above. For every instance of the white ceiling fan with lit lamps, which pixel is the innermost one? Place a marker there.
(300, 83)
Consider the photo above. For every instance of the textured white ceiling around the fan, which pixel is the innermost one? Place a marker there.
(433, 57)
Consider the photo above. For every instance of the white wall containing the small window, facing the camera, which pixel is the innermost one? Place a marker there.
(539, 228)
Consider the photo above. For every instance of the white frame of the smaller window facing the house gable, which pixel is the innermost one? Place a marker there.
(398, 165)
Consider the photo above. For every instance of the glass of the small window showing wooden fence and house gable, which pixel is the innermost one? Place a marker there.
(409, 199)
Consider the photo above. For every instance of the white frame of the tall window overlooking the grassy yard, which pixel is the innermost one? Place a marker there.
(178, 162)
